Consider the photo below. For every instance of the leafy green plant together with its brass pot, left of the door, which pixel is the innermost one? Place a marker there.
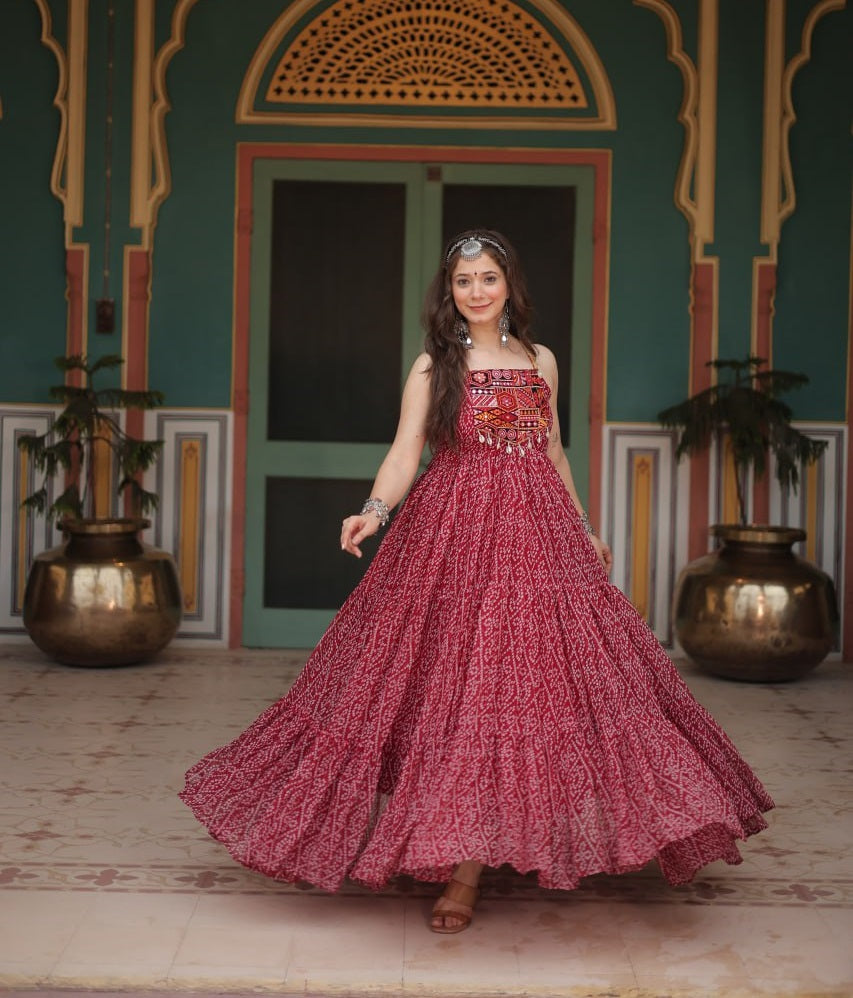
(102, 597)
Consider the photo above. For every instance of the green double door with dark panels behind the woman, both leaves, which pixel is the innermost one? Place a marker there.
(341, 255)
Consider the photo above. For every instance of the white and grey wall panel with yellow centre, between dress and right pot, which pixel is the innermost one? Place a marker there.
(644, 490)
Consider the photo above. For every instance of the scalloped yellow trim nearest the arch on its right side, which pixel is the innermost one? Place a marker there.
(687, 116)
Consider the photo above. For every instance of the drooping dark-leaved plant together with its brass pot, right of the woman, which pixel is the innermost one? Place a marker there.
(752, 609)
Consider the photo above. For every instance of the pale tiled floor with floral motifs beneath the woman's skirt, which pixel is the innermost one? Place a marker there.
(107, 882)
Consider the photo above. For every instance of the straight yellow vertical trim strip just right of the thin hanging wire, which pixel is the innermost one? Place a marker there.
(140, 156)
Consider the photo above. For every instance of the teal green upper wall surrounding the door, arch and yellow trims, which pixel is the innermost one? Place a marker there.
(649, 325)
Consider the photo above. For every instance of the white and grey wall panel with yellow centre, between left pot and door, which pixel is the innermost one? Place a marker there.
(193, 480)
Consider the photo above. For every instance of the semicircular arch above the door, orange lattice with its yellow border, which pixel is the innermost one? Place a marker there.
(447, 62)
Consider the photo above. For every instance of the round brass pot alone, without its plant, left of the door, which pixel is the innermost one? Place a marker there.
(102, 598)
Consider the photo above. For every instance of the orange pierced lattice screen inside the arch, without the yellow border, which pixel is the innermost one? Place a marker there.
(437, 53)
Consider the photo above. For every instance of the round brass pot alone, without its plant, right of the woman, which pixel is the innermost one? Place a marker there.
(753, 609)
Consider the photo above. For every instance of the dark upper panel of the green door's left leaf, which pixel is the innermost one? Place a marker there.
(335, 314)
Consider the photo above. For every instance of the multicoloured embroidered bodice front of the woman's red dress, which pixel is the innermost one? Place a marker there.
(511, 409)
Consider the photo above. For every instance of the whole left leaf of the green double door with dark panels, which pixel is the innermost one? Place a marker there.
(334, 304)
